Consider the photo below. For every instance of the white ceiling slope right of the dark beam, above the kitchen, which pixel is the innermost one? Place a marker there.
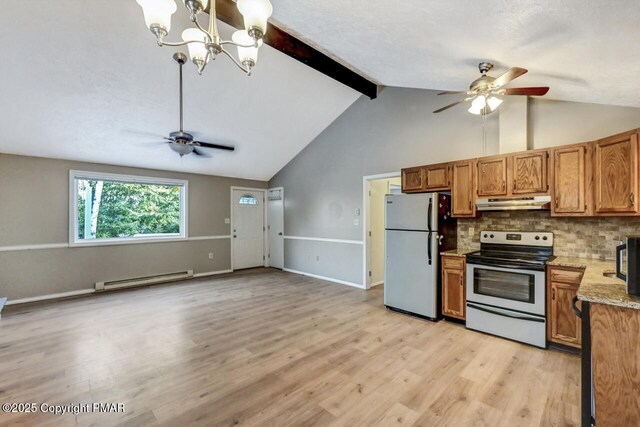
(585, 50)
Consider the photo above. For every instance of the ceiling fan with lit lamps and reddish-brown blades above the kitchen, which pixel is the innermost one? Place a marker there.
(485, 91)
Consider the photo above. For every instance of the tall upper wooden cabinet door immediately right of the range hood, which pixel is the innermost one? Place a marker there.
(572, 180)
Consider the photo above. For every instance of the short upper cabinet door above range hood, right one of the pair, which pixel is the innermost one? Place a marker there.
(529, 172)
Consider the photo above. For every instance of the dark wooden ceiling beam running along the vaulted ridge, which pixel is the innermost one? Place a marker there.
(278, 39)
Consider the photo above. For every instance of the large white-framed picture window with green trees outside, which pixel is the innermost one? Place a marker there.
(113, 209)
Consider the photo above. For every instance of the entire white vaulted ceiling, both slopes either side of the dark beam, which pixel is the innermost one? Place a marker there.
(84, 80)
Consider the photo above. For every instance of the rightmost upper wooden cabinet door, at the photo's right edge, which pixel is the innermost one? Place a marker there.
(616, 174)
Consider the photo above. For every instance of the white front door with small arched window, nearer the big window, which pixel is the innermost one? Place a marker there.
(248, 229)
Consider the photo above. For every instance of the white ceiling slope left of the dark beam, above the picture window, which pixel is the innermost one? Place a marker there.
(85, 80)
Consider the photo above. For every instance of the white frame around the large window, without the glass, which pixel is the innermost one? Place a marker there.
(73, 208)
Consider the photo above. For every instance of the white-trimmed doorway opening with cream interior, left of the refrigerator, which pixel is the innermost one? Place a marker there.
(375, 188)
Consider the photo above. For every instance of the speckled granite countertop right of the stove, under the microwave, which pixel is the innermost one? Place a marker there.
(597, 288)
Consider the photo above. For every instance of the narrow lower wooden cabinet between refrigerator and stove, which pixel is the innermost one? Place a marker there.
(454, 299)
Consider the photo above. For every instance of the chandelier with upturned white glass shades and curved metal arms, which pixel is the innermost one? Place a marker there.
(205, 44)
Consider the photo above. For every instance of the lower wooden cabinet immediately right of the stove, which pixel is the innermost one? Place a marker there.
(563, 326)
